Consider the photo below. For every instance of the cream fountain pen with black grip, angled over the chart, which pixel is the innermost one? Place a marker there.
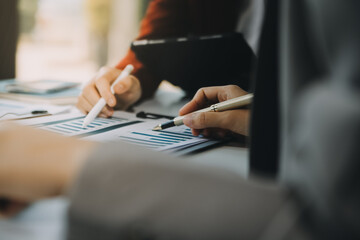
(218, 107)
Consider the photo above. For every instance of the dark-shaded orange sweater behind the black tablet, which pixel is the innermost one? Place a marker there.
(176, 18)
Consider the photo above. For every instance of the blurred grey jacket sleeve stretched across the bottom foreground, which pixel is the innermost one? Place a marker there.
(125, 192)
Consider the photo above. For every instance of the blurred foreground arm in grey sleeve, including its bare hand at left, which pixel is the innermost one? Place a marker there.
(123, 191)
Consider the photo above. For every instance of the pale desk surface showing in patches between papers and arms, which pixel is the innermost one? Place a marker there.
(46, 219)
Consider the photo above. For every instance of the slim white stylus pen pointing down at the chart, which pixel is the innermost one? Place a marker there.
(101, 103)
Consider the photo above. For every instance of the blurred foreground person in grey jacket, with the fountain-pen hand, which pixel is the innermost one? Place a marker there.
(147, 195)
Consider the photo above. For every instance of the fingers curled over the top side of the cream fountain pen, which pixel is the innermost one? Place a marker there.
(210, 95)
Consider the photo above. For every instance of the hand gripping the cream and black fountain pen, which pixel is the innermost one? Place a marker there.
(216, 124)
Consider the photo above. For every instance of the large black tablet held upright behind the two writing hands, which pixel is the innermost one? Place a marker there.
(198, 61)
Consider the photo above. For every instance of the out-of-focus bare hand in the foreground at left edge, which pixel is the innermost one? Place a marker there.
(36, 164)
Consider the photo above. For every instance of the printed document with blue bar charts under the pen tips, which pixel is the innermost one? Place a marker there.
(125, 127)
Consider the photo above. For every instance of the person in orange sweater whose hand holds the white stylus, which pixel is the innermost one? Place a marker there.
(163, 19)
